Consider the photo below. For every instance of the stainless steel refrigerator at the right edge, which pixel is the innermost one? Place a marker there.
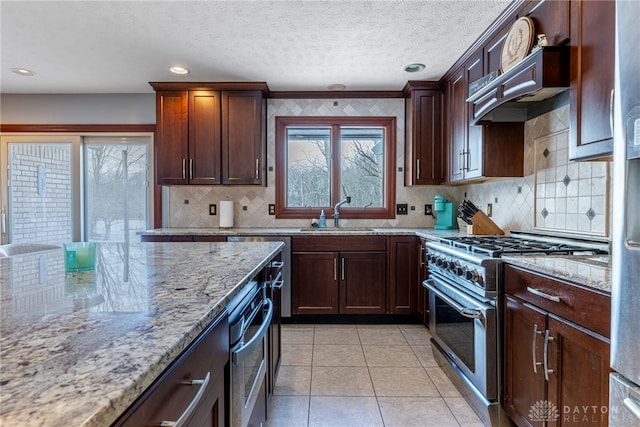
(624, 407)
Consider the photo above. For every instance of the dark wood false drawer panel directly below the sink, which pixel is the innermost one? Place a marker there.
(339, 243)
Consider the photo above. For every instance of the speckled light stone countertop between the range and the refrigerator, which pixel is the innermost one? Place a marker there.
(592, 271)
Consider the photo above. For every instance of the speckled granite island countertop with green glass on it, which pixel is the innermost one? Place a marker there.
(77, 349)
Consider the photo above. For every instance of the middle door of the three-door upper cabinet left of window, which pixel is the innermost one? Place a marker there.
(204, 137)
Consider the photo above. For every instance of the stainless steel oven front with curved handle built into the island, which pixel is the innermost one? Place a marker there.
(249, 367)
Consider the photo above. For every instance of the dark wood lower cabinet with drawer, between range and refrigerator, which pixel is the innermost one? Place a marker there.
(556, 369)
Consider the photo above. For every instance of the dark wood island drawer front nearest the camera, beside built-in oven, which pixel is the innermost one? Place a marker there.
(168, 397)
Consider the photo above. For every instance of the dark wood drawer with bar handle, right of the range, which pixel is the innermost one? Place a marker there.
(588, 308)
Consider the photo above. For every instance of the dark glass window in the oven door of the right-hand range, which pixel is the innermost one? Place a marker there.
(457, 332)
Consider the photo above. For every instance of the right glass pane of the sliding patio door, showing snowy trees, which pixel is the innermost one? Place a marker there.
(116, 190)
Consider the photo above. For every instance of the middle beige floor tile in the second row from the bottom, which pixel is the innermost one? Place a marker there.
(341, 381)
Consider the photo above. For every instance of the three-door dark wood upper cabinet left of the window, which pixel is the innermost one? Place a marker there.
(206, 134)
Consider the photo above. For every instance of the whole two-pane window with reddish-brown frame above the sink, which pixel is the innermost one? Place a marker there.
(322, 162)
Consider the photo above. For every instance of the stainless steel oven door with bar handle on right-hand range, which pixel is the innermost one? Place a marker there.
(464, 327)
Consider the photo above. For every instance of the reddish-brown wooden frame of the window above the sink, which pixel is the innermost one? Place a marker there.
(387, 211)
